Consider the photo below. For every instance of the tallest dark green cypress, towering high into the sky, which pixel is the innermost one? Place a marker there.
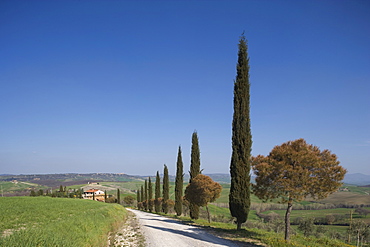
(239, 197)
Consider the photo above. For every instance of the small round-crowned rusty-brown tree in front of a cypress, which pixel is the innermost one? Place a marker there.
(202, 190)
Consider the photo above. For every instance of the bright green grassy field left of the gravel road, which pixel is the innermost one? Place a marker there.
(45, 221)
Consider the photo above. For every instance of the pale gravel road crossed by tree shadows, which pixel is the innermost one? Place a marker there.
(161, 232)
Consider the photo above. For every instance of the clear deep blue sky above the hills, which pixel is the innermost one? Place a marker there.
(117, 86)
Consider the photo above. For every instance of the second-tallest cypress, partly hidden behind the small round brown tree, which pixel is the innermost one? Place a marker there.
(194, 171)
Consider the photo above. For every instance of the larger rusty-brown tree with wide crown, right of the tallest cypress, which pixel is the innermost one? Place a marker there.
(293, 171)
